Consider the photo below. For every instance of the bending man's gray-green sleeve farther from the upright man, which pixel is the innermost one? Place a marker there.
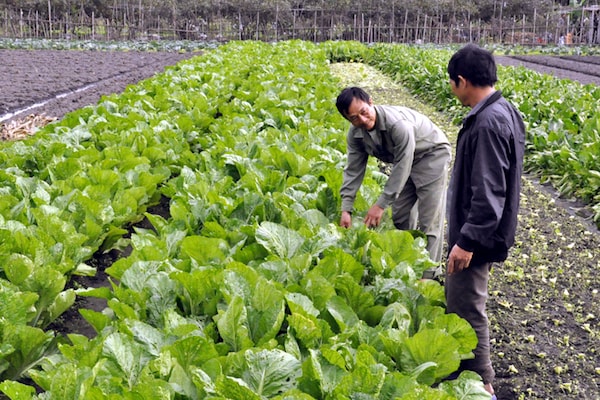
(354, 173)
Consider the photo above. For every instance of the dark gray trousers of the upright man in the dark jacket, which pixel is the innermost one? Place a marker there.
(466, 295)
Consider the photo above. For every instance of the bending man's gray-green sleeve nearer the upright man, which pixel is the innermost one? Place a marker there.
(403, 138)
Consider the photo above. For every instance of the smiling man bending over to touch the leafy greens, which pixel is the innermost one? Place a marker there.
(420, 154)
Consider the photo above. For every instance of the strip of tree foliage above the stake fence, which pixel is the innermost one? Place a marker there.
(170, 9)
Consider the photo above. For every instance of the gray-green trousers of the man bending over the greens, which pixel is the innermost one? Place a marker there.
(423, 208)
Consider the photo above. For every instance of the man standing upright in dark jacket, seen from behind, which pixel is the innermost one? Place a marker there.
(483, 195)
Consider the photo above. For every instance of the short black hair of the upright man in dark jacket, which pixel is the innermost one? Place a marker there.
(475, 64)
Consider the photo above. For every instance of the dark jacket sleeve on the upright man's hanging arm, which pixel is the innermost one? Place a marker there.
(491, 164)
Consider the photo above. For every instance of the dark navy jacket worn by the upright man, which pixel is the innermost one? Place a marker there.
(484, 190)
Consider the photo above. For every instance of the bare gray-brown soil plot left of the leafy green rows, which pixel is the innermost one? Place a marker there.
(55, 82)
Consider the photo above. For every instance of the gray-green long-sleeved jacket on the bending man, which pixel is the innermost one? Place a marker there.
(401, 137)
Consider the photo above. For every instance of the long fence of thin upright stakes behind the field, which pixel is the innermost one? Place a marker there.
(314, 25)
